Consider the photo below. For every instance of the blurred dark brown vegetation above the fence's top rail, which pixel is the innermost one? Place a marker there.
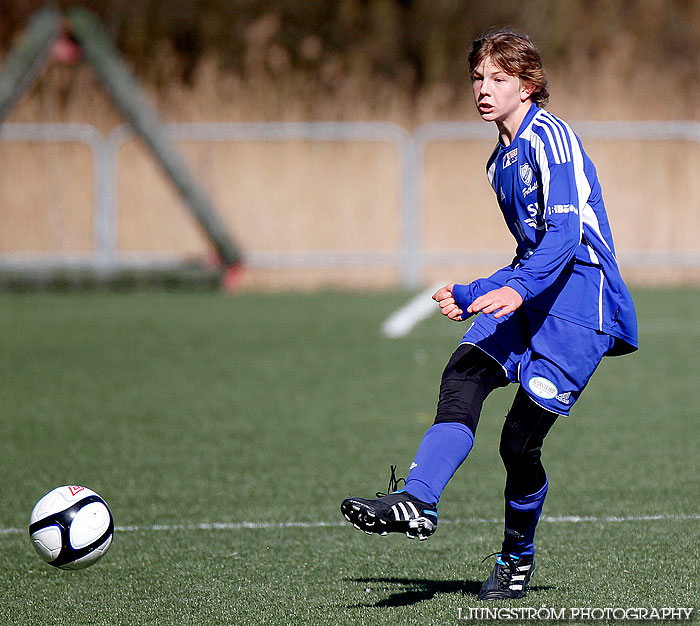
(402, 60)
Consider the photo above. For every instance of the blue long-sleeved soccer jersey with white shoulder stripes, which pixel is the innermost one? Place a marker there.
(565, 264)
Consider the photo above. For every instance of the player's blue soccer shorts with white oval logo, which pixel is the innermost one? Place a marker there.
(551, 358)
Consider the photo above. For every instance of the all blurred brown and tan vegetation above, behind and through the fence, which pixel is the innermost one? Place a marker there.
(395, 60)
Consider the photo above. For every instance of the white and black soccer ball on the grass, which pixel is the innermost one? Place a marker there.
(71, 527)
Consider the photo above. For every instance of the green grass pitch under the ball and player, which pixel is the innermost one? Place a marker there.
(195, 415)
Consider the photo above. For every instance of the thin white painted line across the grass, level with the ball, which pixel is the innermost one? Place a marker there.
(555, 519)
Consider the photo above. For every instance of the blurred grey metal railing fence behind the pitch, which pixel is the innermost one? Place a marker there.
(410, 260)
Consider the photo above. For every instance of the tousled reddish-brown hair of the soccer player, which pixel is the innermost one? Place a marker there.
(515, 54)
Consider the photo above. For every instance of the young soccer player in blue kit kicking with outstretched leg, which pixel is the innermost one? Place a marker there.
(546, 320)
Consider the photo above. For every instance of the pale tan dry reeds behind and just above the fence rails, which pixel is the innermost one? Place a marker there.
(298, 196)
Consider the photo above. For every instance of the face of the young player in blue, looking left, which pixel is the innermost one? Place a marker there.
(499, 97)
